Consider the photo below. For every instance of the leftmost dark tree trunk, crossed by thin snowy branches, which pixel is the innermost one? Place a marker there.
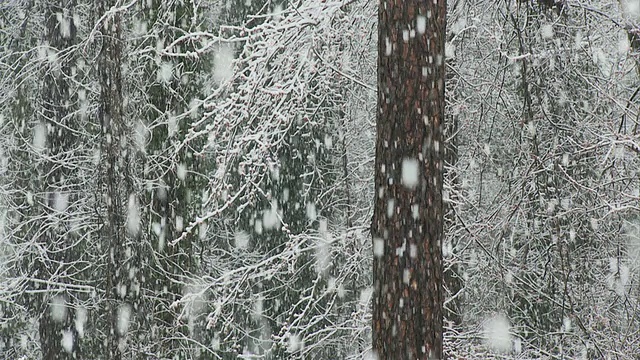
(56, 119)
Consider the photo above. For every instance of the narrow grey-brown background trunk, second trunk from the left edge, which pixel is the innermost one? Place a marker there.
(116, 182)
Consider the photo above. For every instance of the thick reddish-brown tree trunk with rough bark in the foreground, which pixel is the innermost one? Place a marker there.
(407, 225)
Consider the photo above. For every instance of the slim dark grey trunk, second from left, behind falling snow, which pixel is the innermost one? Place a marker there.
(114, 177)
